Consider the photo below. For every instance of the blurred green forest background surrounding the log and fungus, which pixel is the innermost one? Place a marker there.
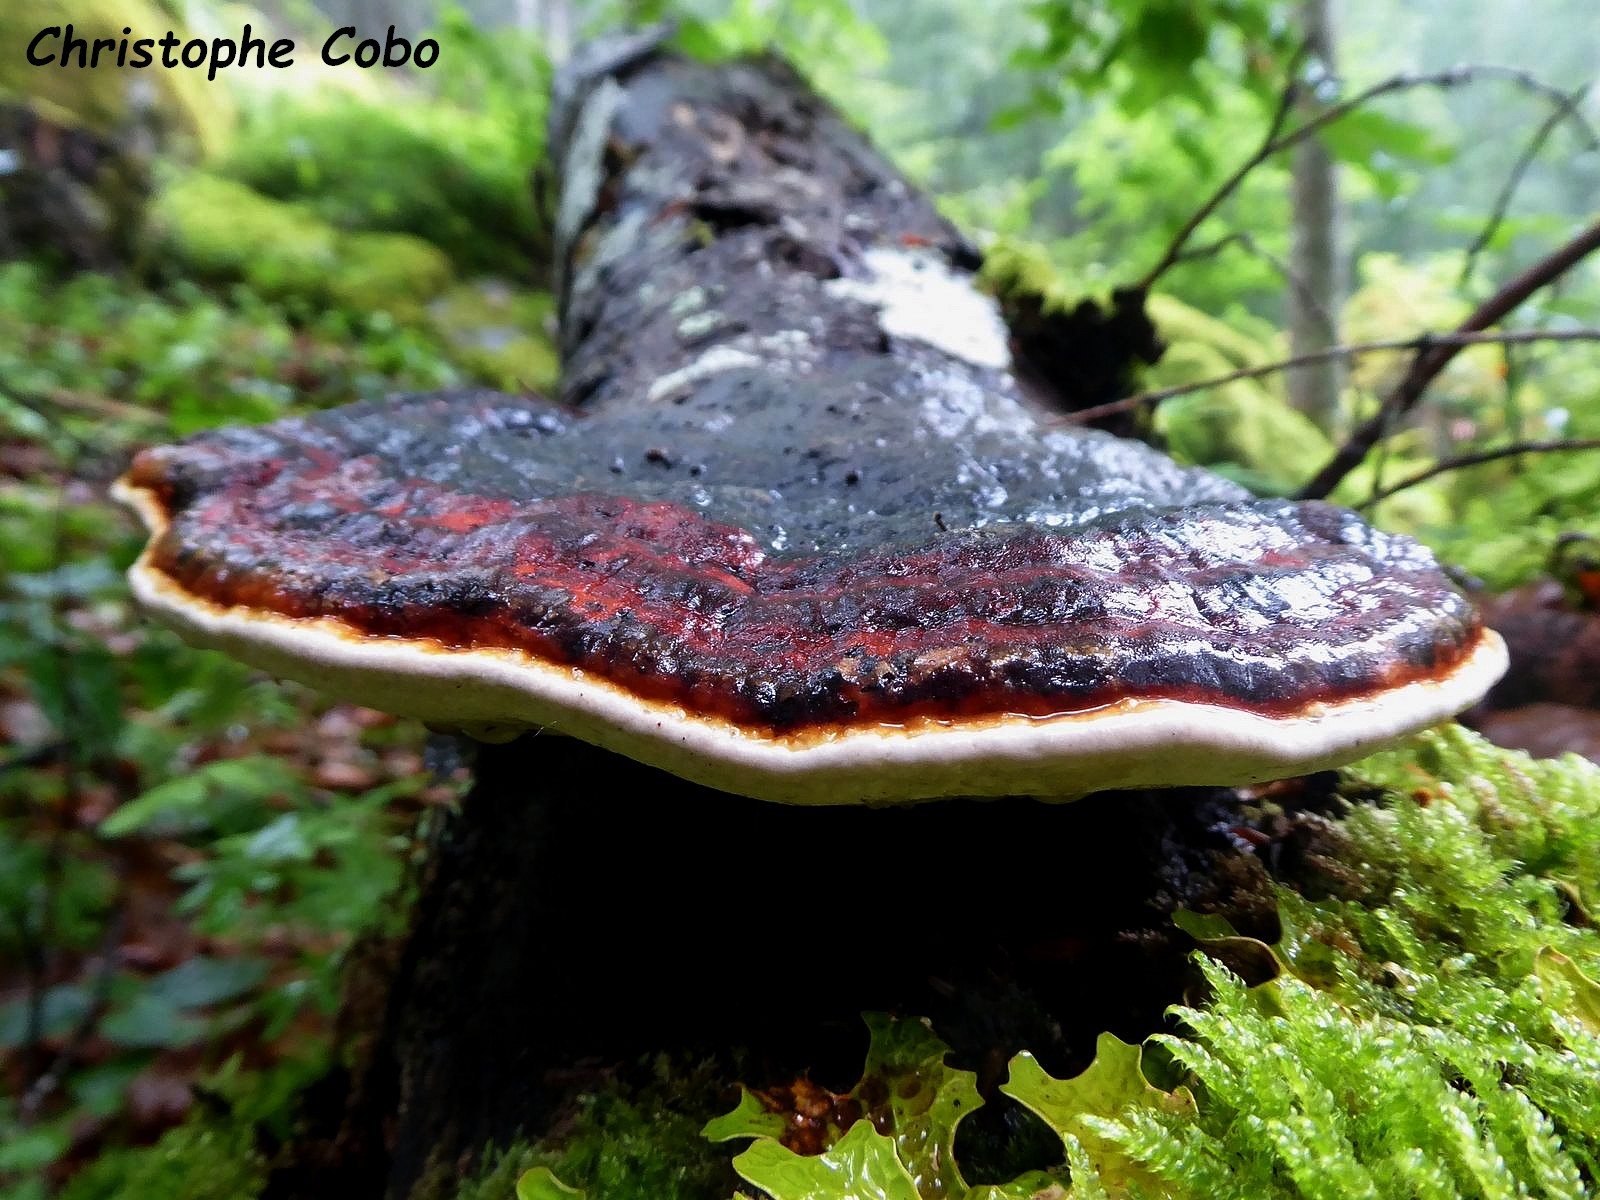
(190, 854)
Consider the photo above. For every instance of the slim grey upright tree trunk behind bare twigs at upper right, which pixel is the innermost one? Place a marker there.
(1316, 262)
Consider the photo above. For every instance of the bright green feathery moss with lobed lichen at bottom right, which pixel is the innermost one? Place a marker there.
(1433, 1026)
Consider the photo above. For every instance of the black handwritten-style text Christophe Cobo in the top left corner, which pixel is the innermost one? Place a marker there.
(63, 49)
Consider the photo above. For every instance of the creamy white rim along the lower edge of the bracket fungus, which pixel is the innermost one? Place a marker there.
(498, 692)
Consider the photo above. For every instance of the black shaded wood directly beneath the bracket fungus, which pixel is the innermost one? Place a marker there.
(585, 911)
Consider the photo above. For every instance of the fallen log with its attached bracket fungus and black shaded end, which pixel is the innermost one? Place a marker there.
(794, 532)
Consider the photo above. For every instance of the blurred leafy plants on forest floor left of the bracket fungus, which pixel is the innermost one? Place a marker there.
(146, 778)
